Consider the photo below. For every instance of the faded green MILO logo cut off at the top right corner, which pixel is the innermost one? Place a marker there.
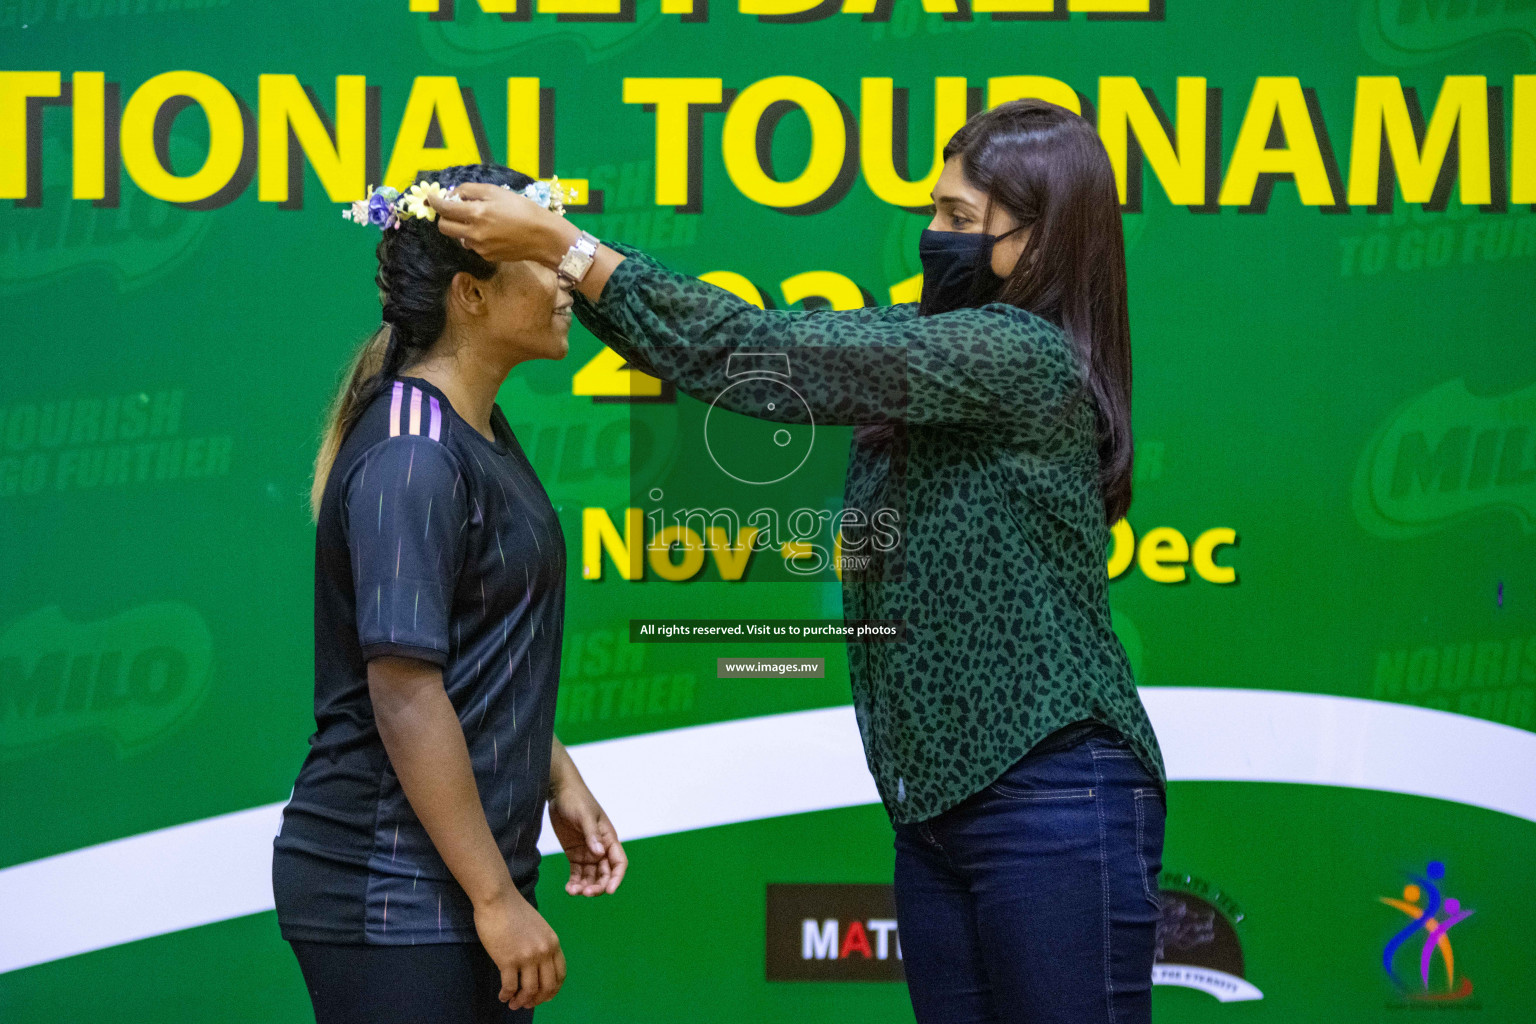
(1418, 31)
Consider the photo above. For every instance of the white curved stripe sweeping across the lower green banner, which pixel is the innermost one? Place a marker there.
(700, 778)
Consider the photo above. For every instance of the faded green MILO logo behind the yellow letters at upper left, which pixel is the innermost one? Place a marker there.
(139, 239)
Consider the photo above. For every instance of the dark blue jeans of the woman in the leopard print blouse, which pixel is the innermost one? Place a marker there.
(1036, 900)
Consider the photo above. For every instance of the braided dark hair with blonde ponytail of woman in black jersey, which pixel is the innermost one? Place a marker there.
(417, 263)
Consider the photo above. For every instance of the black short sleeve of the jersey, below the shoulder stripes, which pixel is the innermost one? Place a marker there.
(406, 512)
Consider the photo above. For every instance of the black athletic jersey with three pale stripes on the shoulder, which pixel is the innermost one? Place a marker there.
(440, 546)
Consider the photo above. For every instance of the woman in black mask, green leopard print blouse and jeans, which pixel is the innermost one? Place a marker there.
(1005, 732)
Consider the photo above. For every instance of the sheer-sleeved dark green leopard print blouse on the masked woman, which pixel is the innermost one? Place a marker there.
(975, 428)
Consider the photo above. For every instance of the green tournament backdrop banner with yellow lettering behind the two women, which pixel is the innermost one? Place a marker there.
(1331, 240)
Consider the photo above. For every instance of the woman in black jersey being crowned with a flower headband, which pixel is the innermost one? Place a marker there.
(406, 865)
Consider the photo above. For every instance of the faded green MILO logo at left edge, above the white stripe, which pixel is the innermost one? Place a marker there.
(131, 678)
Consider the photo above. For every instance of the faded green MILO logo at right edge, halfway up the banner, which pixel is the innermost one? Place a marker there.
(1448, 455)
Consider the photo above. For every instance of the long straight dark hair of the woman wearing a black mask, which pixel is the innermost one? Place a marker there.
(1048, 168)
